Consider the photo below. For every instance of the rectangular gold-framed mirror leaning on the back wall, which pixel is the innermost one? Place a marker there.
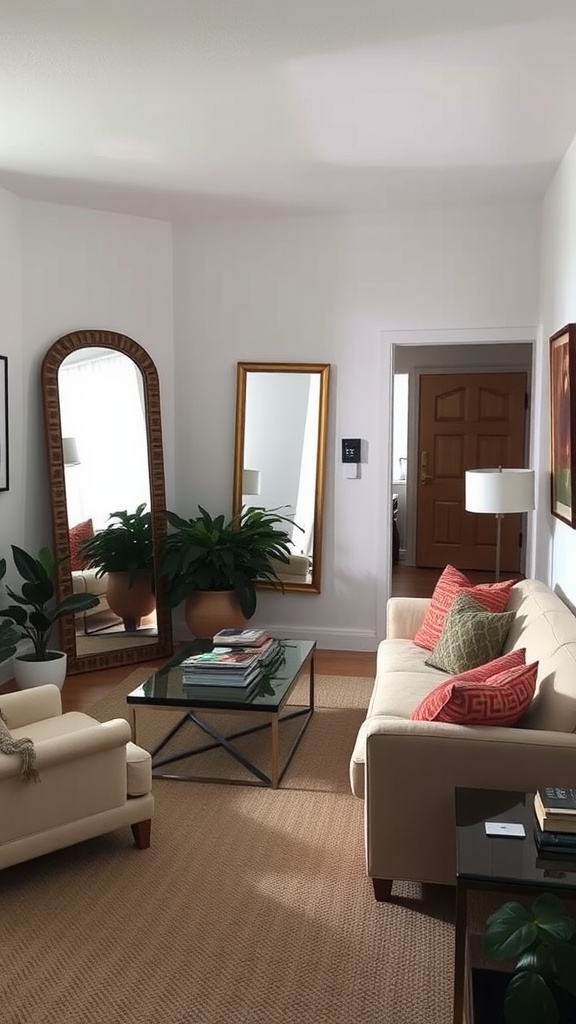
(280, 455)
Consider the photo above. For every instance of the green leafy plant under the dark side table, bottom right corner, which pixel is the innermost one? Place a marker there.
(542, 941)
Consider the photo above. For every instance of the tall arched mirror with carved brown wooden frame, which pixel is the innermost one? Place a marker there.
(100, 423)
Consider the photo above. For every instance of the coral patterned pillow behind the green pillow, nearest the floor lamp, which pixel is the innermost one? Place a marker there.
(491, 596)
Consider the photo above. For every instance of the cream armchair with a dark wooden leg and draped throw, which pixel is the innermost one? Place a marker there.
(93, 779)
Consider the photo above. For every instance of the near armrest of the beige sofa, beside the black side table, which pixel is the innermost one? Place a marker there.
(413, 770)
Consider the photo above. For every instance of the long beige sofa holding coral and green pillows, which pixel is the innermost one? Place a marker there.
(406, 771)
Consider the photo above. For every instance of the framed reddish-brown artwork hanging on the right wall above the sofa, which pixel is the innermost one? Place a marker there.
(563, 422)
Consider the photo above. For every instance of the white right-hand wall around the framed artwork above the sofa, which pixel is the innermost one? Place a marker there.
(557, 541)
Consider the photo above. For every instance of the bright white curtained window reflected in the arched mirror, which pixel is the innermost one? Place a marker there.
(102, 407)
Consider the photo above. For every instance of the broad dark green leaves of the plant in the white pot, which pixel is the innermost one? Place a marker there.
(35, 611)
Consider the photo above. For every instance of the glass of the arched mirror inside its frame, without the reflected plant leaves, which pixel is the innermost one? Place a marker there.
(106, 472)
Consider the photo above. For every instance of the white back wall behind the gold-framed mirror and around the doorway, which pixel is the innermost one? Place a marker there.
(327, 290)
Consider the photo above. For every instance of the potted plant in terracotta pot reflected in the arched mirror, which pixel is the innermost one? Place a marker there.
(125, 552)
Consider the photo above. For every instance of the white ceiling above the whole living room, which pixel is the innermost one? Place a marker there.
(188, 109)
